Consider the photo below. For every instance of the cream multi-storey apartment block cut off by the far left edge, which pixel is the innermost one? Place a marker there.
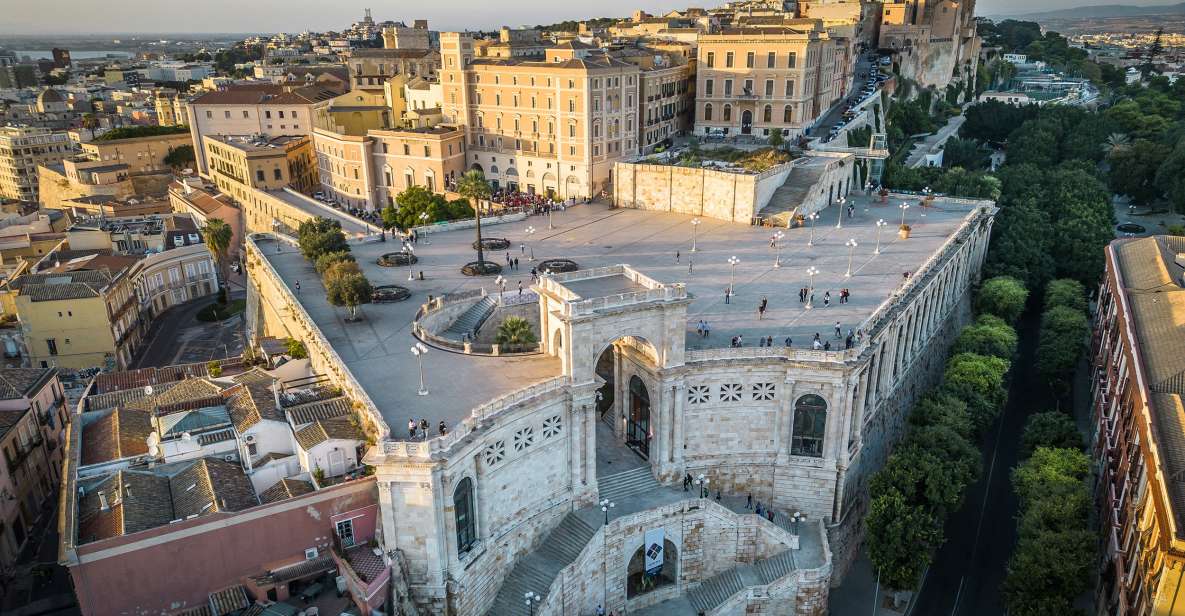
(22, 151)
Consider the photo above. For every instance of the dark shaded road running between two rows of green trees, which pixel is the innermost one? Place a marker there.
(968, 573)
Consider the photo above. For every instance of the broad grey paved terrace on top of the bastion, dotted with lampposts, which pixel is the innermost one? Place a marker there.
(377, 350)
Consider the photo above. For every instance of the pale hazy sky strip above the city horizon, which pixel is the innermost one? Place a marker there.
(41, 17)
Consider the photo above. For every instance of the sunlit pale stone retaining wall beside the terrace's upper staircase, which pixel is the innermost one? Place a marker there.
(726, 196)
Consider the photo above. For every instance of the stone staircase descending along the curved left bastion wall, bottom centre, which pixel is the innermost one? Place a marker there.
(536, 572)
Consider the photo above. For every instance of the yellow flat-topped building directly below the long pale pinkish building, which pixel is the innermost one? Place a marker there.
(238, 163)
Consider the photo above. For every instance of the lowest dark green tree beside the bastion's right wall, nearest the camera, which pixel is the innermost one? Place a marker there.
(901, 540)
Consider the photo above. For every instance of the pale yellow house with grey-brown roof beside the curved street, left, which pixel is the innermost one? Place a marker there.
(80, 318)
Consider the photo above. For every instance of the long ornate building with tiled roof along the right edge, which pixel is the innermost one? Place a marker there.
(1139, 406)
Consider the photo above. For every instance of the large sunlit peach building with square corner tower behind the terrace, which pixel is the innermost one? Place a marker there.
(550, 125)
